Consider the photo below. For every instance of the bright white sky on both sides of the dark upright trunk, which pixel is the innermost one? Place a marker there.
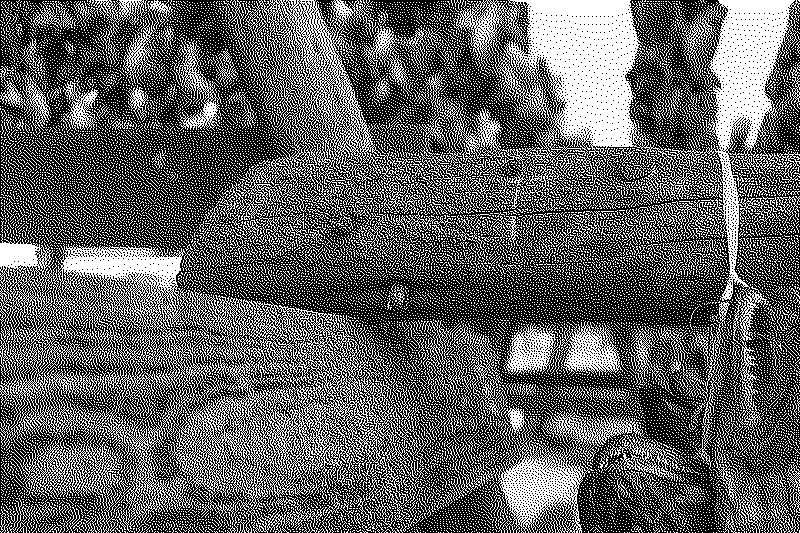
(591, 46)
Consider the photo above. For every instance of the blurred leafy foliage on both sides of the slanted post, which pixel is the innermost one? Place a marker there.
(457, 67)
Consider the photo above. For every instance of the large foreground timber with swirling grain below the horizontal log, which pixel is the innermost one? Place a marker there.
(228, 409)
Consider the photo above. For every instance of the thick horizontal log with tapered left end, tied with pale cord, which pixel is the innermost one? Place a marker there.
(604, 233)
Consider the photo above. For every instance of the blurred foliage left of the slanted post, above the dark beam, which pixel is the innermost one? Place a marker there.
(118, 64)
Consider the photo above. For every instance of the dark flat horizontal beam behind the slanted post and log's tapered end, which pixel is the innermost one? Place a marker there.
(139, 188)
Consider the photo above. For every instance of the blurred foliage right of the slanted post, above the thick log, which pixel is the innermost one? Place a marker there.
(459, 68)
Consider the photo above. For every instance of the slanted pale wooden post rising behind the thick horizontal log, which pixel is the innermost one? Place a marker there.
(298, 88)
